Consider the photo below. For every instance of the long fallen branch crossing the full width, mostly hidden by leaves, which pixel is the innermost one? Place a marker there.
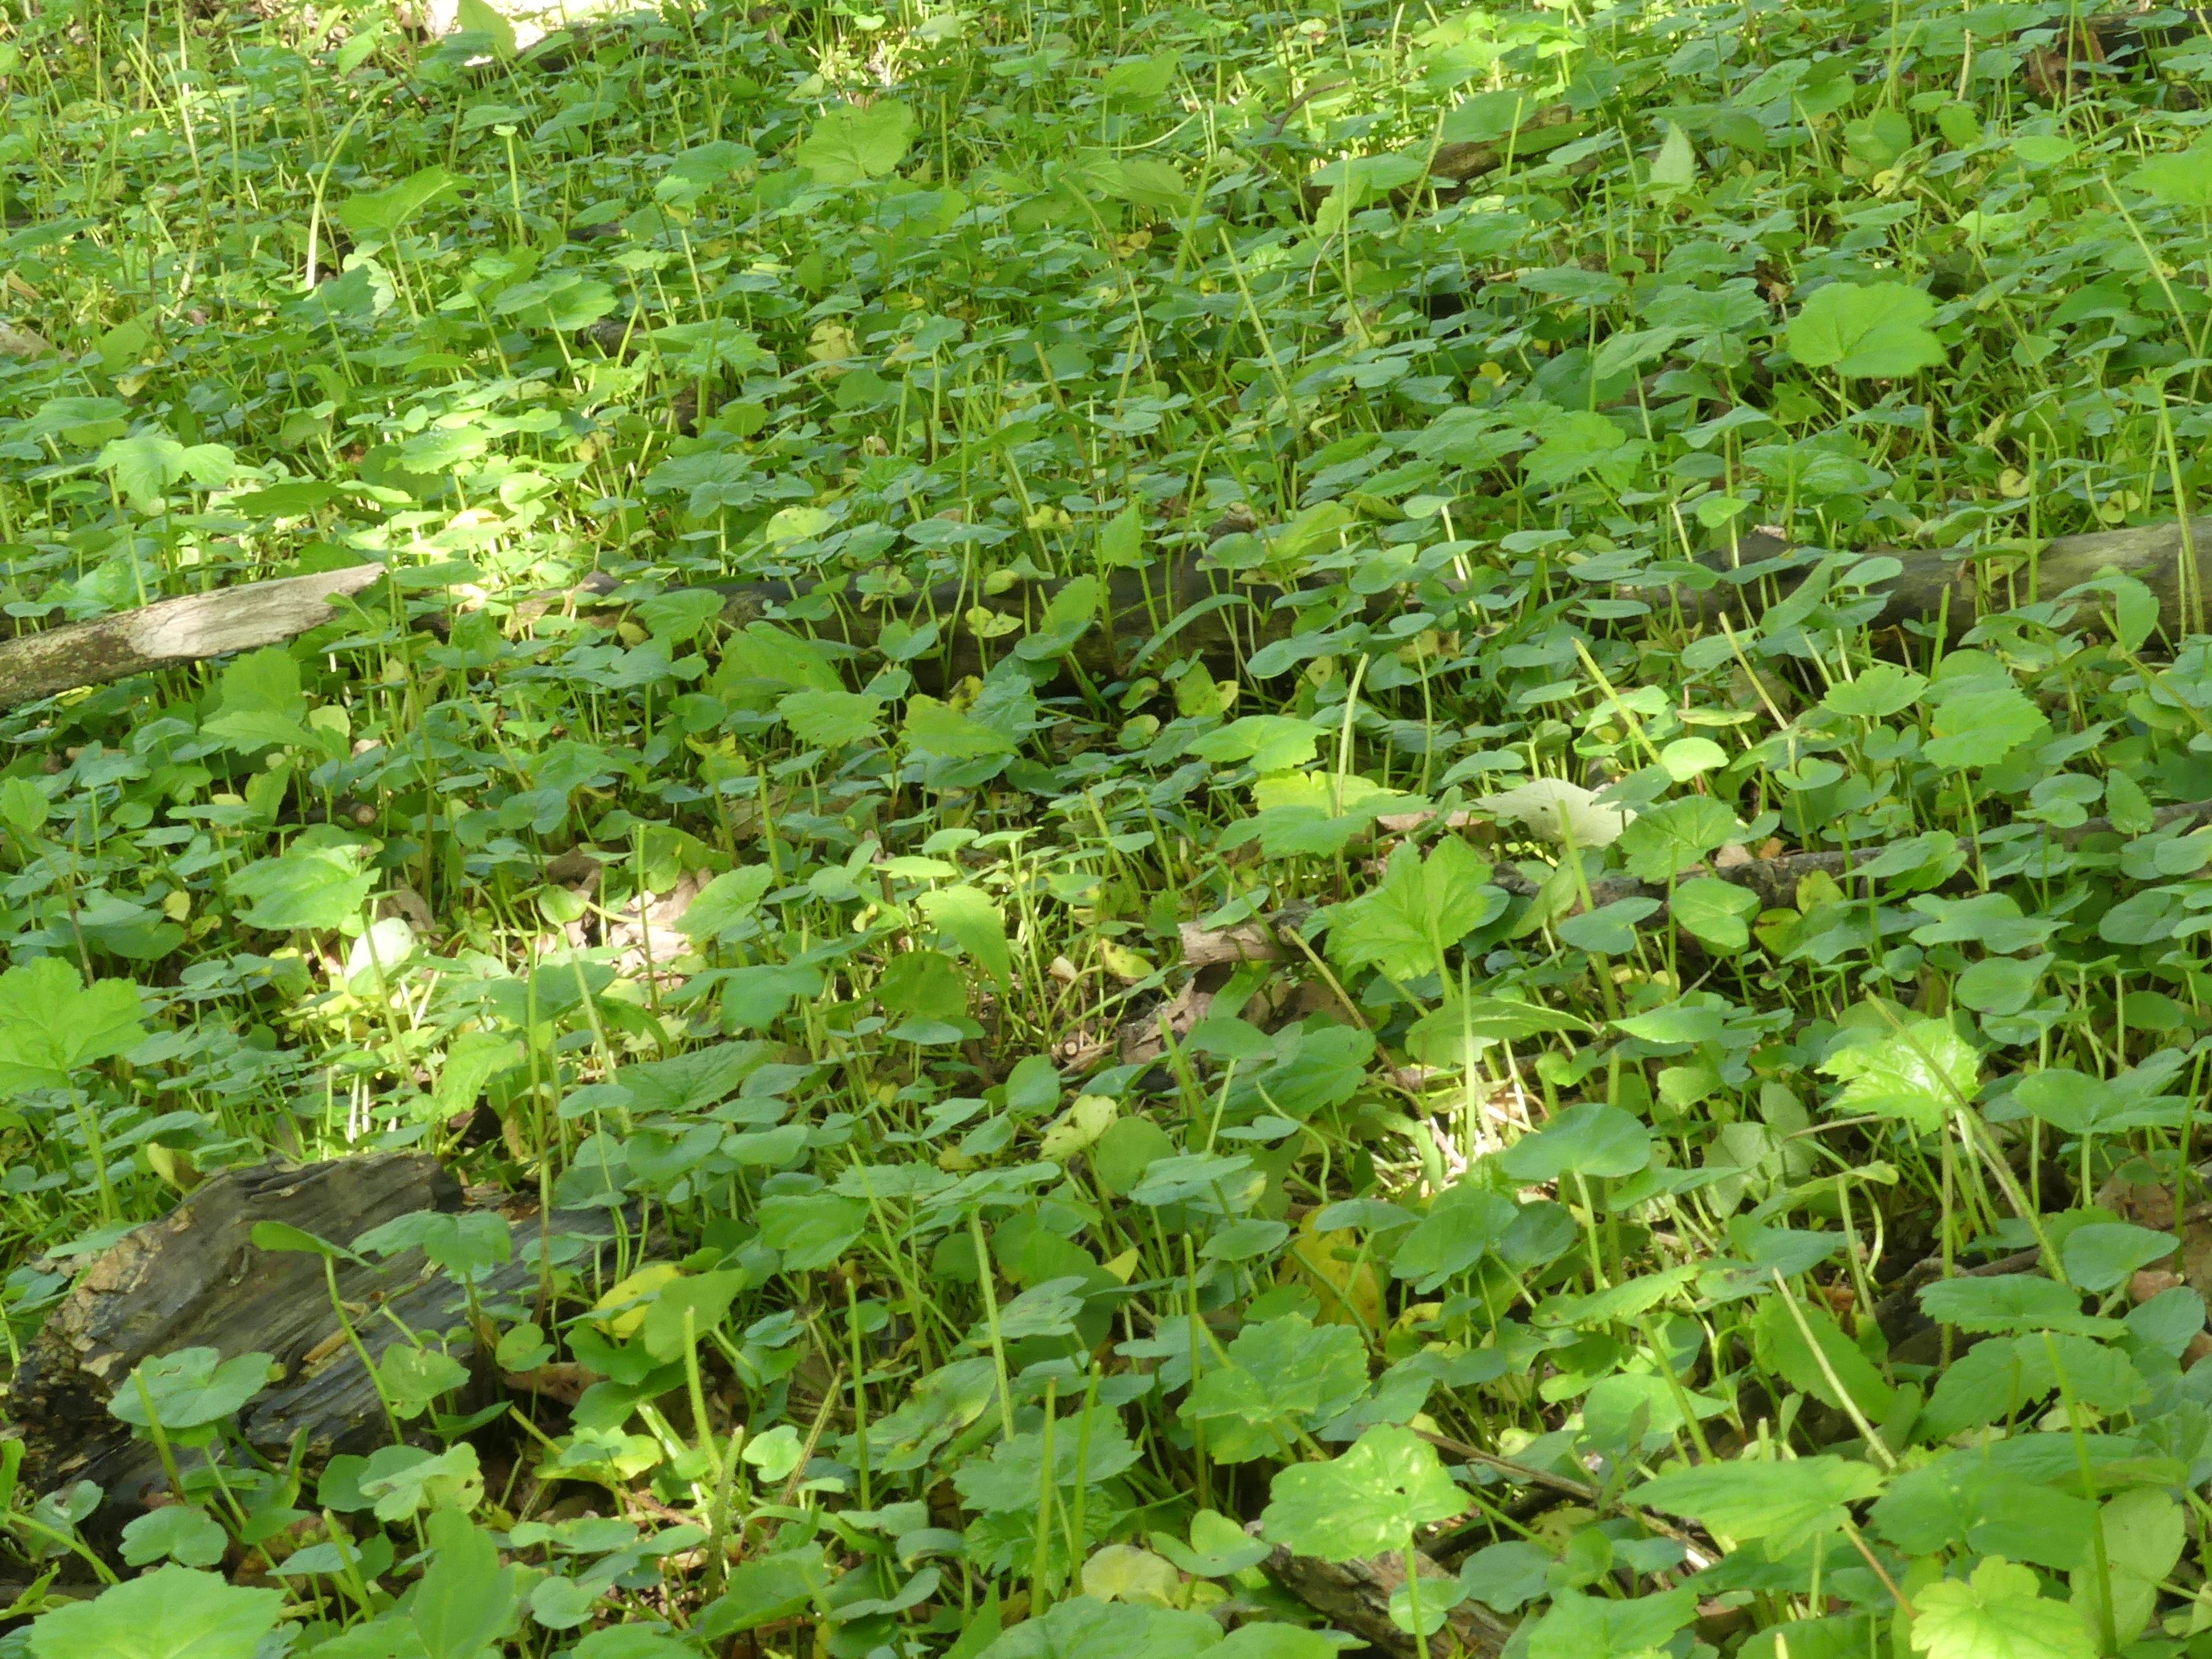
(1167, 609)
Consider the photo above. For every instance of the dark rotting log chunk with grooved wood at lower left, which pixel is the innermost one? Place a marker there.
(196, 1280)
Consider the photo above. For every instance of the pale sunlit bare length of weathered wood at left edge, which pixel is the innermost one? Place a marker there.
(174, 632)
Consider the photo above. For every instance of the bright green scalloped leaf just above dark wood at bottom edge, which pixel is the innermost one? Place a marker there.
(1361, 1503)
